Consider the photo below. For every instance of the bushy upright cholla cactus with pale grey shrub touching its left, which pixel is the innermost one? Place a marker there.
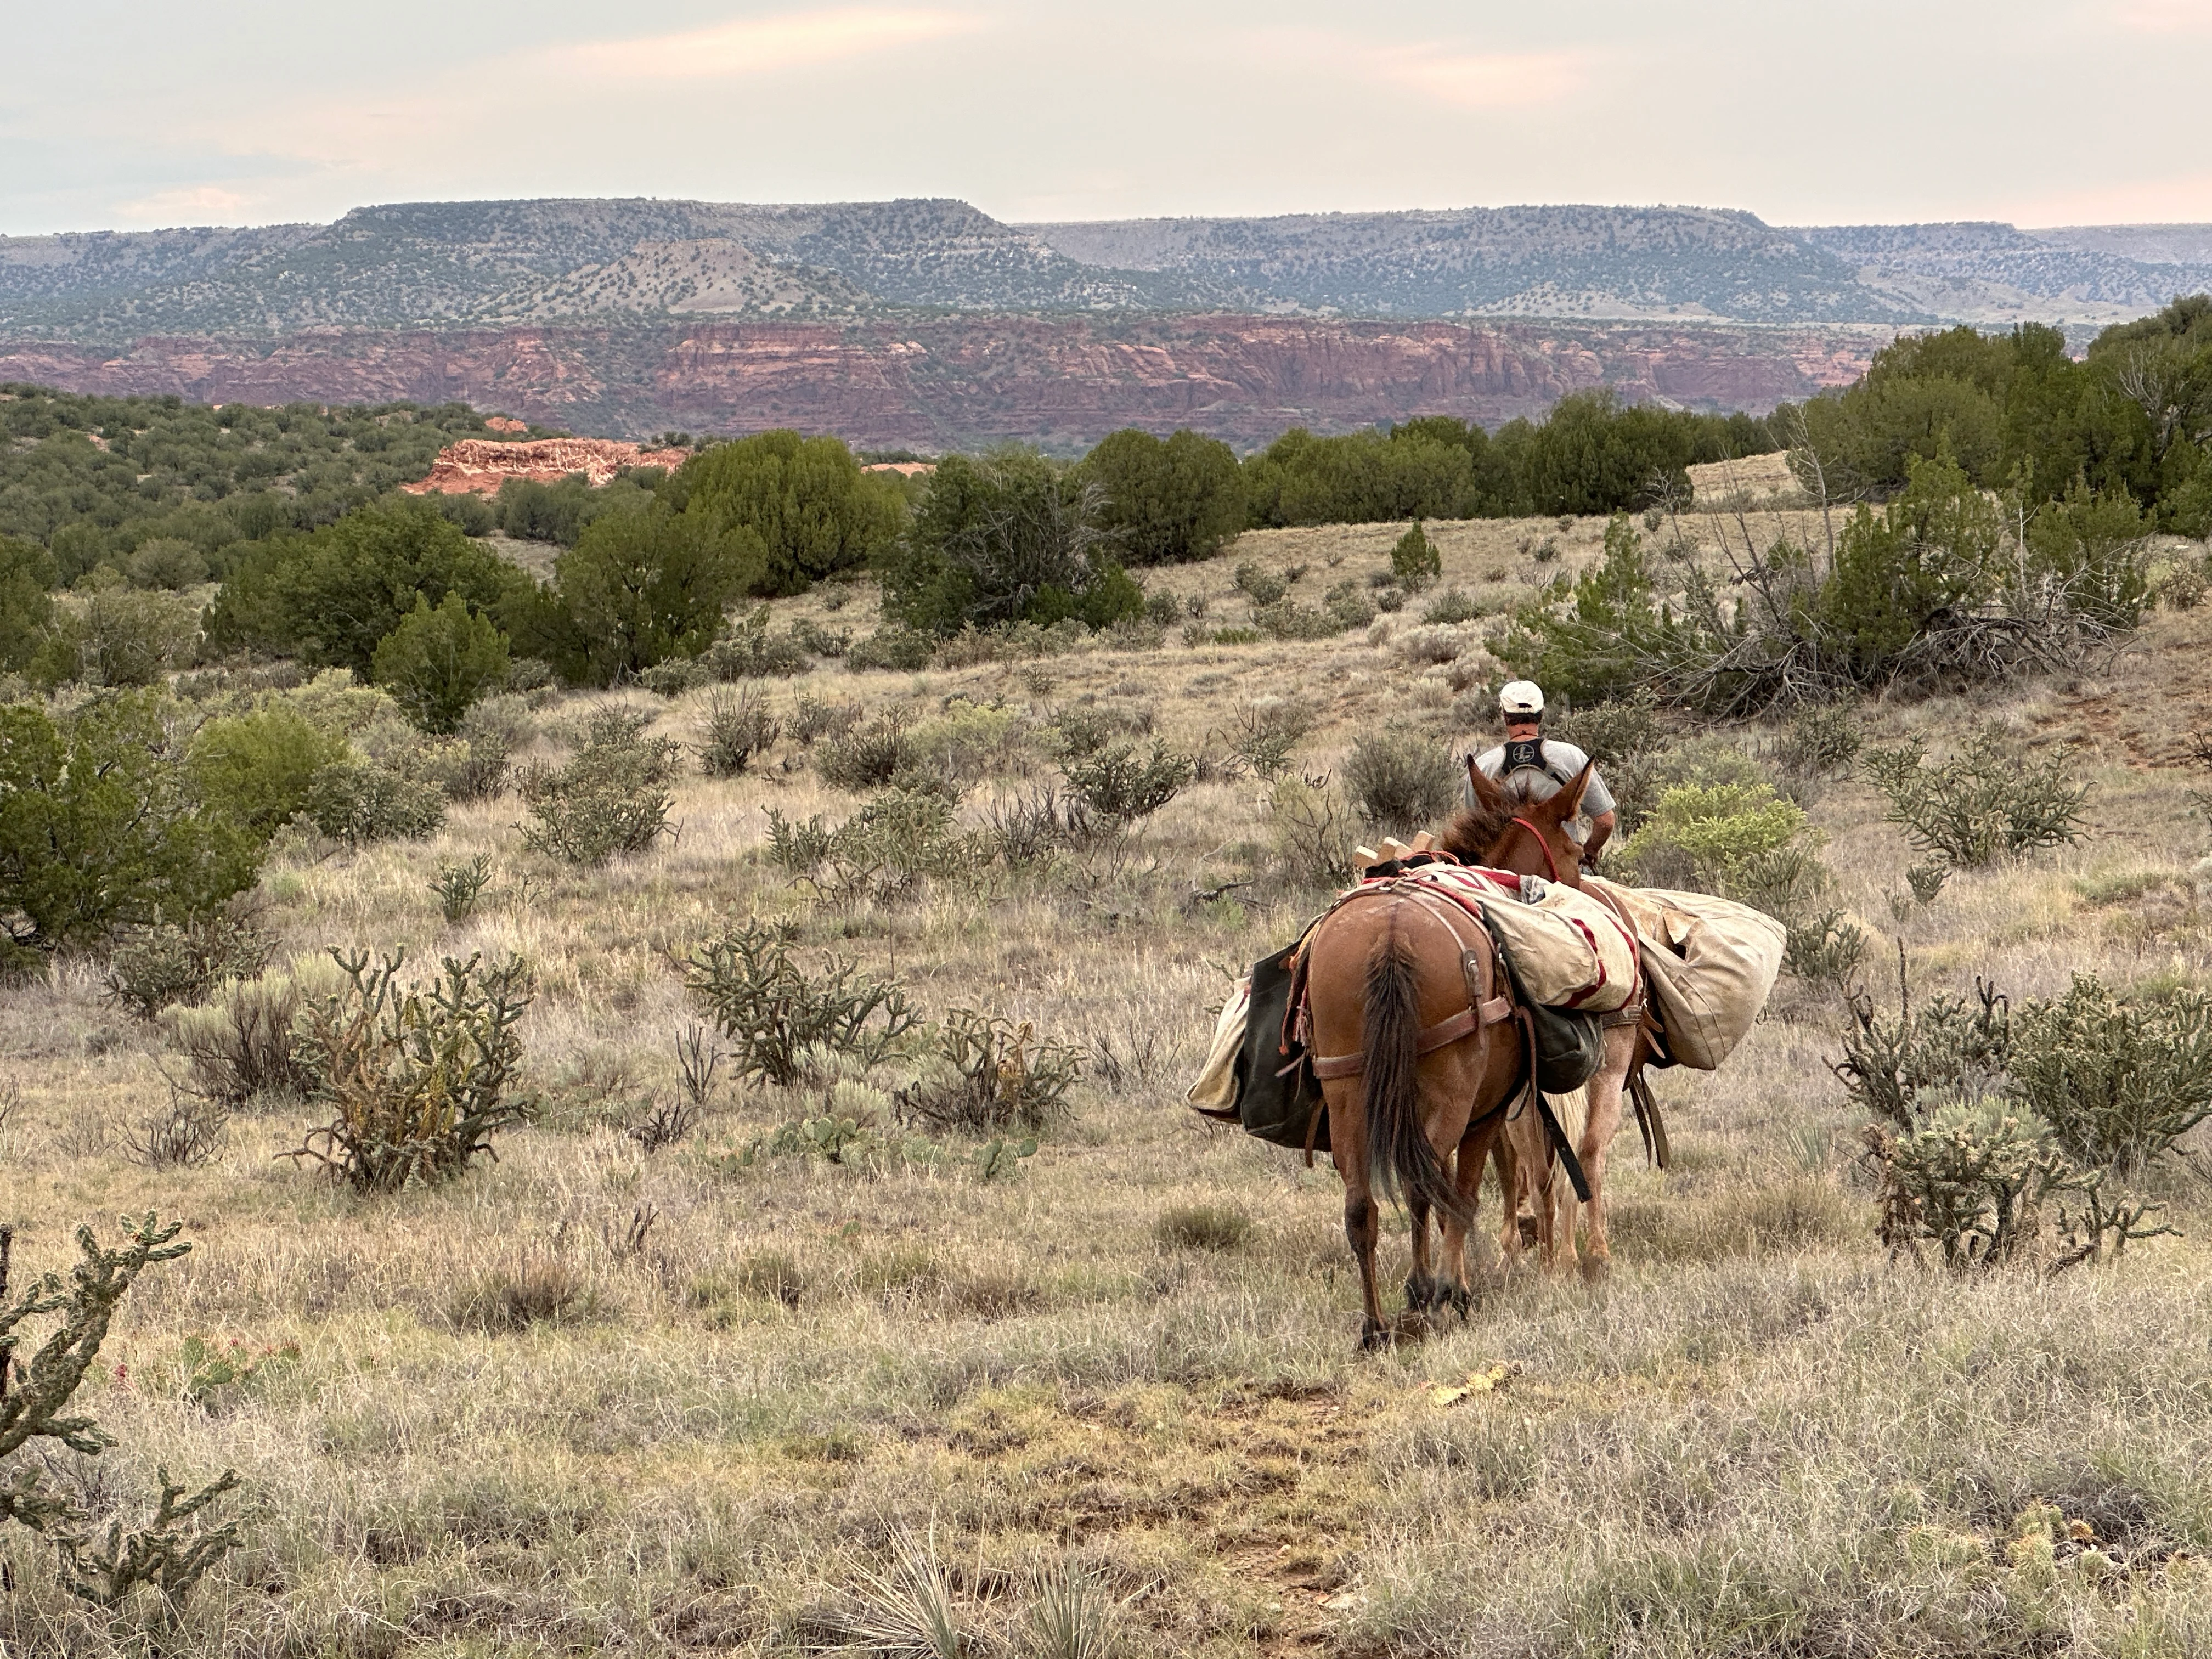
(419, 1078)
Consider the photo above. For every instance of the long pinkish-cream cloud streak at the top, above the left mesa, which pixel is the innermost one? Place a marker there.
(758, 45)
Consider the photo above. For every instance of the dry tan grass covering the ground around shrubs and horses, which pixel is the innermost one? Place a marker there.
(508, 1432)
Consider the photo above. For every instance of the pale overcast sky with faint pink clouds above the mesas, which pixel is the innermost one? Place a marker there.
(262, 112)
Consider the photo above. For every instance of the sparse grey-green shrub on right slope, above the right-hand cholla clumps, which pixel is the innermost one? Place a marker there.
(1992, 802)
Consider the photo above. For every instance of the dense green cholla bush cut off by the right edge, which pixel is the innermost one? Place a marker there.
(2118, 1081)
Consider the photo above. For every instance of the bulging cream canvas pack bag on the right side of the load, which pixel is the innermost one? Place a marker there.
(1711, 966)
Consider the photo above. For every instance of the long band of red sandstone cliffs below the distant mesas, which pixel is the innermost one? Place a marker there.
(981, 379)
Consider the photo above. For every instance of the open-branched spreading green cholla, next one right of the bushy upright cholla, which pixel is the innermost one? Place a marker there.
(778, 1016)
